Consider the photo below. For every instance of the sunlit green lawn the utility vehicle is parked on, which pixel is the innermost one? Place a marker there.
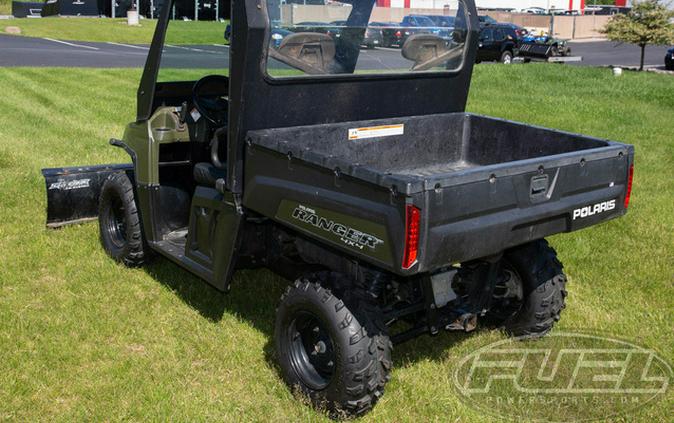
(82, 338)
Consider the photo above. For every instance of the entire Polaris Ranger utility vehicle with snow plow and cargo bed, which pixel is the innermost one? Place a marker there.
(356, 174)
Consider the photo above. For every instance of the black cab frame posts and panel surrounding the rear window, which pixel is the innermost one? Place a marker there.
(255, 98)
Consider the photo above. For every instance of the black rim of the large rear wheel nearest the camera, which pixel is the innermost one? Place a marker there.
(312, 351)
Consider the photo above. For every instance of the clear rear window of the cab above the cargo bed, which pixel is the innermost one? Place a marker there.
(354, 37)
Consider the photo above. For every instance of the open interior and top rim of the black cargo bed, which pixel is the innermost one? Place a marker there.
(434, 151)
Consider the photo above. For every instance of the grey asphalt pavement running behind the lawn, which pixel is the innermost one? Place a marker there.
(26, 51)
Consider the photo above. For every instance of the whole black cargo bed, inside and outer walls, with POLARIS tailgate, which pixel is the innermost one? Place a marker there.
(483, 184)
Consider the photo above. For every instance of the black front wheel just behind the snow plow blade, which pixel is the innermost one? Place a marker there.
(119, 222)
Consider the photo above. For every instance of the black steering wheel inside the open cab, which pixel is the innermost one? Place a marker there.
(208, 96)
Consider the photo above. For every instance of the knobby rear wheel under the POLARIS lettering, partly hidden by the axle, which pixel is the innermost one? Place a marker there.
(543, 288)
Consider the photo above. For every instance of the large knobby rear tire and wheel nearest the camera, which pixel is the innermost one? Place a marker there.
(333, 350)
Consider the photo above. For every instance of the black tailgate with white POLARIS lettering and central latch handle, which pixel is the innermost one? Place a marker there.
(496, 207)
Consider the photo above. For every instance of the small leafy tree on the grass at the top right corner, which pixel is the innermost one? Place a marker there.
(647, 23)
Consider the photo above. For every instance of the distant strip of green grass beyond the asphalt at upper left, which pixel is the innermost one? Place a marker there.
(116, 30)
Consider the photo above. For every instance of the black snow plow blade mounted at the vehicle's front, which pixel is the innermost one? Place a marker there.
(72, 192)
